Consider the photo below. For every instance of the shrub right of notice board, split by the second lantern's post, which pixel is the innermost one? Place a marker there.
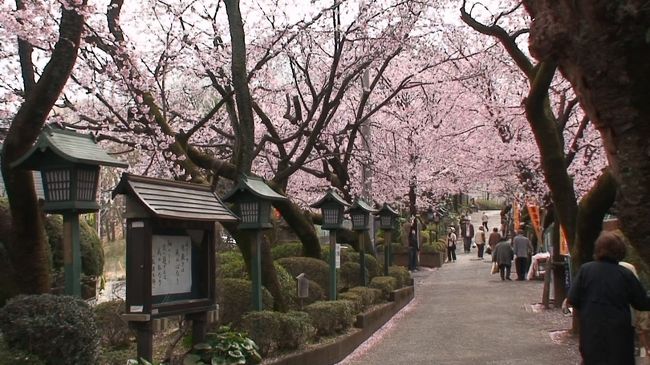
(235, 300)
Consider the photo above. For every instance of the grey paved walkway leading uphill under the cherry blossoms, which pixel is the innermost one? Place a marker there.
(462, 314)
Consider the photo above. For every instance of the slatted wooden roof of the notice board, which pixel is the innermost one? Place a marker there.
(175, 199)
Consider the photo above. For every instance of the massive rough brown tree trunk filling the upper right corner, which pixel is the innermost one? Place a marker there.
(601, 48)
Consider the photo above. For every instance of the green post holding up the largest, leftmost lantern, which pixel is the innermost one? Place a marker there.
(71, 254)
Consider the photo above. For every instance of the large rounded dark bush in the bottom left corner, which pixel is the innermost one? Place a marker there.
(60, 329)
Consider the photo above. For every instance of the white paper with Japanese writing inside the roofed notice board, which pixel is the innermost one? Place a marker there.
(171, 265)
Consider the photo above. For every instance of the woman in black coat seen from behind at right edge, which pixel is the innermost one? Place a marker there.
(602, 292)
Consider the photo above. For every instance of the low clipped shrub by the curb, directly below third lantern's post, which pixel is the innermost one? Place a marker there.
(331, 316)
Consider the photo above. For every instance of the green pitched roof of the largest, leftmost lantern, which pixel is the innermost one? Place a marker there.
(57, 145)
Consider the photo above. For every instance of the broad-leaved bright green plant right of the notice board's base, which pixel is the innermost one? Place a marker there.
(225, 347)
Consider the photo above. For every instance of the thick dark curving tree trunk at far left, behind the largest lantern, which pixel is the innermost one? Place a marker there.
(27, 244)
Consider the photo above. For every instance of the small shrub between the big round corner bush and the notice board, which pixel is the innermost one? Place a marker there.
(113, 330)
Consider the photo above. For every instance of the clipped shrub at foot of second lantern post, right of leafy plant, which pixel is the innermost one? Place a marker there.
(263, 327)
